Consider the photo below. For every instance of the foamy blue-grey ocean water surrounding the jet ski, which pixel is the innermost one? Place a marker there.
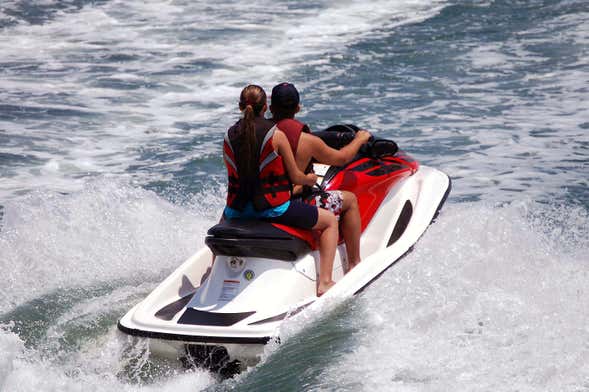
(111, 119)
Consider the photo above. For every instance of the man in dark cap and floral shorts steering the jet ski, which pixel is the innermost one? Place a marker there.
(285, 103)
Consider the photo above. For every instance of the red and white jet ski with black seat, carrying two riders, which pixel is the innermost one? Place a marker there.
(219, 314)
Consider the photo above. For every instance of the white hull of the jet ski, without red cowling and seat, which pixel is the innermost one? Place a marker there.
(239, 303)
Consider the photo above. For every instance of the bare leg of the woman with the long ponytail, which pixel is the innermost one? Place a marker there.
(327, 223)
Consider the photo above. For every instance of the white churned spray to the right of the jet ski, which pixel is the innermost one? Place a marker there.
(490, 303)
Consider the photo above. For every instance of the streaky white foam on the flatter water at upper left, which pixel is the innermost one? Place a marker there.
(70, 46)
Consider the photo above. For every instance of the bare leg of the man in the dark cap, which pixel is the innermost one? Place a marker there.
(351, 229)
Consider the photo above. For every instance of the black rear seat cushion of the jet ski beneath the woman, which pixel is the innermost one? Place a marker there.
(254, 238)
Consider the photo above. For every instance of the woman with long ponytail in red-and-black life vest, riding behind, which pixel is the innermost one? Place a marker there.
(262, 169)
